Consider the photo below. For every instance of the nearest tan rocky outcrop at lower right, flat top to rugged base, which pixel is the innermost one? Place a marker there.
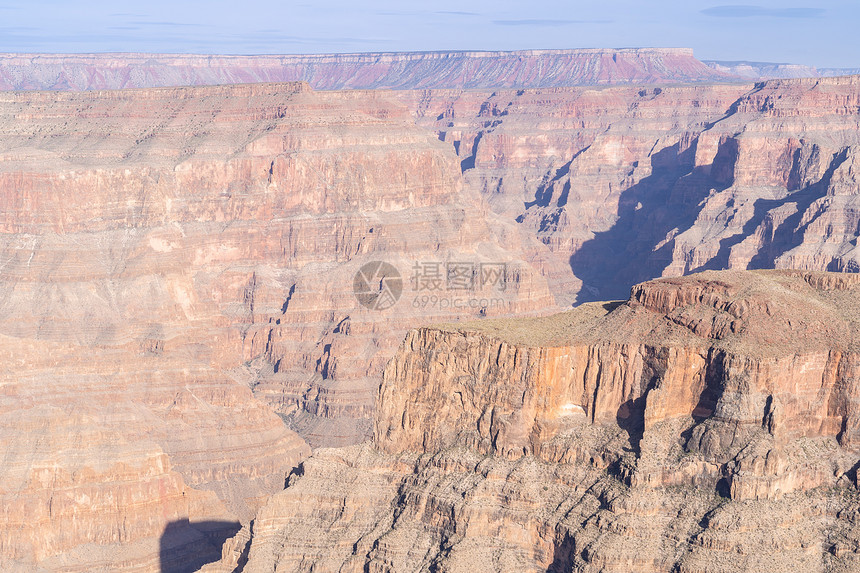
(707, 424)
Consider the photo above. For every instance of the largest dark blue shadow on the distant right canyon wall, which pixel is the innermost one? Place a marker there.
(666, 202)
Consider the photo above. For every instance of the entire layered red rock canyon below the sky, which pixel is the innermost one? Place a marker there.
(623, 332)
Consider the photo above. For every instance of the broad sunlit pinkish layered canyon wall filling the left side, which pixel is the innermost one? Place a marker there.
(177, 270)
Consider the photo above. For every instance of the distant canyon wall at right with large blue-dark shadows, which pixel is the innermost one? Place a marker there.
(625, 184)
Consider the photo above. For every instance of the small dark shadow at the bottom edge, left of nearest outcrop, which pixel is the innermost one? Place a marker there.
(187, 546)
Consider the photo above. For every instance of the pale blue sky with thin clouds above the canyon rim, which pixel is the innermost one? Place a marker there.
(821, 33)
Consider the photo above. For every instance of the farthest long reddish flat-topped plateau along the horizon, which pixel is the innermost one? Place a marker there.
(397, 70)
